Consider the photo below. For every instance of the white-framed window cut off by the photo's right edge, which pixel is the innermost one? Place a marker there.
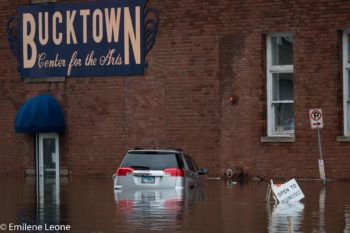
(346, 69)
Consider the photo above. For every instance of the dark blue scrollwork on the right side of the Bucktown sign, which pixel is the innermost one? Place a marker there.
(151, 27)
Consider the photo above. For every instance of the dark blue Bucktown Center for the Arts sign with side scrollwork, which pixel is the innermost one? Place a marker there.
(83, 39)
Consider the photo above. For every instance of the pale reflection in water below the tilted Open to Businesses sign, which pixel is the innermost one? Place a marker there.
(286, 217)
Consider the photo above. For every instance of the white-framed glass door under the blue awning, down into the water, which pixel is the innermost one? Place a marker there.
(48, 168)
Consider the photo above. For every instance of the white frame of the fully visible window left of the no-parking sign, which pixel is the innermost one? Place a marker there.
(273, 69)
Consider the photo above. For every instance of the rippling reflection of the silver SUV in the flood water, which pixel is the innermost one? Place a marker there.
(155, 209)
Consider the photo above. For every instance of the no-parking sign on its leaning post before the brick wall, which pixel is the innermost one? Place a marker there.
(316, 120)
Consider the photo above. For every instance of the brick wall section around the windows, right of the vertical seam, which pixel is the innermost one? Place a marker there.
(318, 83)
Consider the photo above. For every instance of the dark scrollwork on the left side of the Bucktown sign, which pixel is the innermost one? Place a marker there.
(13, 35)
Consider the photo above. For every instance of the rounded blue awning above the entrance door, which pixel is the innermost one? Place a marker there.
(40, 114)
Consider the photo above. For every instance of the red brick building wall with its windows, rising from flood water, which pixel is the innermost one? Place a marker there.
(230, 82)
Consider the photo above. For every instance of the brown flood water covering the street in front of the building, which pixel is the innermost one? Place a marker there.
(91, 205)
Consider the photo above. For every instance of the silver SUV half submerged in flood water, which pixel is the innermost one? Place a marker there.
(157, 168)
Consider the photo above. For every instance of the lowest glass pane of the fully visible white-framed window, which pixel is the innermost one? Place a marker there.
(284, 117)
